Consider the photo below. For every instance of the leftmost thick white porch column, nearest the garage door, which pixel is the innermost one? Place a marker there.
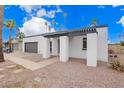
(46, 47)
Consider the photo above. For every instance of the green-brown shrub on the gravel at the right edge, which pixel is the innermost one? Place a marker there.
(117, 65)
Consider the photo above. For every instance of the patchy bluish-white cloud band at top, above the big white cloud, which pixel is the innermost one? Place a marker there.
(40, 11)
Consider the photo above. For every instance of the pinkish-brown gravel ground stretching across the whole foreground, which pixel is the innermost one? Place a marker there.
(72, 74)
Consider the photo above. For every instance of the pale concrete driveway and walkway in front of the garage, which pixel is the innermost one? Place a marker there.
(26, 60)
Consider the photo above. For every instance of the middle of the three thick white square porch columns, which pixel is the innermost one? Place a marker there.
(64, 48)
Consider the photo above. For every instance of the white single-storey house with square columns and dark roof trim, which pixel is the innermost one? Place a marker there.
(88, 43)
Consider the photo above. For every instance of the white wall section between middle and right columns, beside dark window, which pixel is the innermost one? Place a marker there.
(76, 46)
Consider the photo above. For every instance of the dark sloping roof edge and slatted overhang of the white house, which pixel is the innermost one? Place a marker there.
(77, 32)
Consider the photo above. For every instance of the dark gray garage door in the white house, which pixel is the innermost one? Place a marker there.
(31, 47)
